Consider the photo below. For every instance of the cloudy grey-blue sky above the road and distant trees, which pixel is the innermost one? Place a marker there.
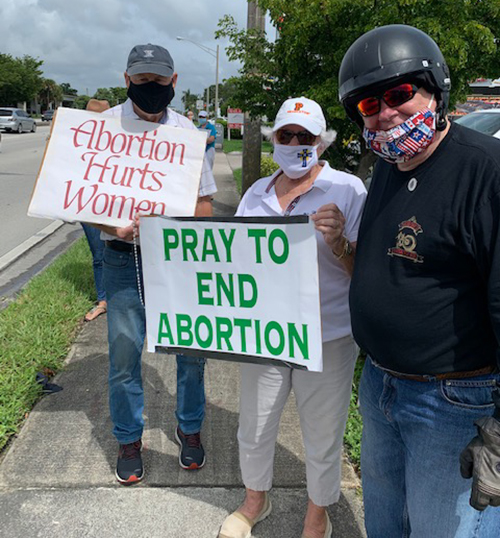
(86, 42)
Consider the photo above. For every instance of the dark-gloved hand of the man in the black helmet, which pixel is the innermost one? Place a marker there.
(481, 461)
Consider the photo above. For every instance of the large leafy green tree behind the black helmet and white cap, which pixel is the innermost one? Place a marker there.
(313, 36)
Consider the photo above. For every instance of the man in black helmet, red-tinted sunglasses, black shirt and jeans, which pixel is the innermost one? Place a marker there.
(425, 296)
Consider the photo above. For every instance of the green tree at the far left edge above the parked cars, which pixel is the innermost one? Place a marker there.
(20, 79)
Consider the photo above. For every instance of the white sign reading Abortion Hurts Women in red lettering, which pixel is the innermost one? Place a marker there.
(104, 169)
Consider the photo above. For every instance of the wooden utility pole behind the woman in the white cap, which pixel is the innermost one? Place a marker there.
(252, 137)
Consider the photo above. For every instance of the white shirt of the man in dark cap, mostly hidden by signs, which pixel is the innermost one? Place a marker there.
(172, 118)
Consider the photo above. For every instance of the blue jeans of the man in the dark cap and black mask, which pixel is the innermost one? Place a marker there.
(126, 333)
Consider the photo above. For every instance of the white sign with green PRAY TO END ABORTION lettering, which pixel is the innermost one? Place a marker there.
(237, 288)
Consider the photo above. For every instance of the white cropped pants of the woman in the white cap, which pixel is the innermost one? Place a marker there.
(322, 403)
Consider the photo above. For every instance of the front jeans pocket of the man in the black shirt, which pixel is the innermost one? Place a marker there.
(469, 393)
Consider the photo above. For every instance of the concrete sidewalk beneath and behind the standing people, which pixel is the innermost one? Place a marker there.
(57, 478)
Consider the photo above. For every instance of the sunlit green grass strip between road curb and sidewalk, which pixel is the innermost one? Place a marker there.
(37, 330)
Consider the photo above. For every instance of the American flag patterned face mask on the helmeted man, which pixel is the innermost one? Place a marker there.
(403, 142)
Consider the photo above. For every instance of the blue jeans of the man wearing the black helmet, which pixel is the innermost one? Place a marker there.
(413, 433)
